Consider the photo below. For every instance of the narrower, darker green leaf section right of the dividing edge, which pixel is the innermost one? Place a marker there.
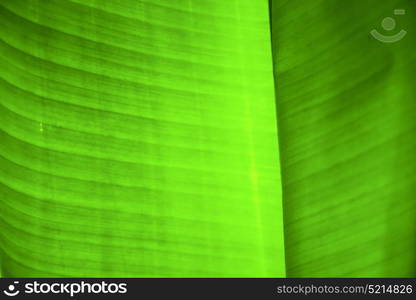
(347, 128)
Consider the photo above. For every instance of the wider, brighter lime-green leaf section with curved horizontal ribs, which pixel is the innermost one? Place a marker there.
(138, 138)
